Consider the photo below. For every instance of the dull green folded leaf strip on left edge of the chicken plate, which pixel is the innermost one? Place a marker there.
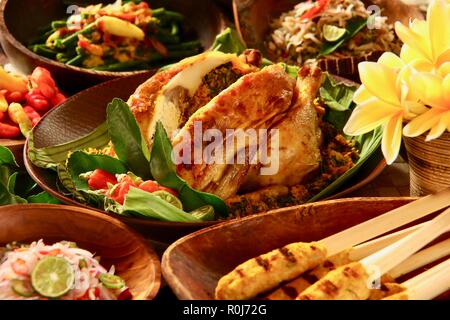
(53, 156)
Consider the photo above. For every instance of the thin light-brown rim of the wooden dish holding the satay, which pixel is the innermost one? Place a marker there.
(175, 282)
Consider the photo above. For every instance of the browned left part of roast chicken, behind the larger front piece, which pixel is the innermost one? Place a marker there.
(144, 103)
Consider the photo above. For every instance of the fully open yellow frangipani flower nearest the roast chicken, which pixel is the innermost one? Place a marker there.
(381, 101)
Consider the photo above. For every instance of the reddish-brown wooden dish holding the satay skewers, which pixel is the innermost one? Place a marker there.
(193, 265)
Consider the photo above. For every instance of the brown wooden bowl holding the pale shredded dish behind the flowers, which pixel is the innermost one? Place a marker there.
(252, 18)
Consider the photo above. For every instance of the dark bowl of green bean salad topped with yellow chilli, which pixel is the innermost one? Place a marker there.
(102, 40)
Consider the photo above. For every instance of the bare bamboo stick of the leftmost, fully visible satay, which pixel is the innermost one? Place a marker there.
(386, 222)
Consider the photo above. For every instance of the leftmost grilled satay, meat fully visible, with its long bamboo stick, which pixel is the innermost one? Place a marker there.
(266, 272)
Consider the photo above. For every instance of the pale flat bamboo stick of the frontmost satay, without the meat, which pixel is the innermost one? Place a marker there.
(391, 256)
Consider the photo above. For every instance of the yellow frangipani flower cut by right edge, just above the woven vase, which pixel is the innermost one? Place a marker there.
(434, 91)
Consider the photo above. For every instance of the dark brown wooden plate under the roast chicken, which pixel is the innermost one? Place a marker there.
(82, 113)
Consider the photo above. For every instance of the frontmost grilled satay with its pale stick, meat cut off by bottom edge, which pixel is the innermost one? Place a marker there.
(352, 281)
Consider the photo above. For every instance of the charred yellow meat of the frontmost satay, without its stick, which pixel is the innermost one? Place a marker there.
(348, 282)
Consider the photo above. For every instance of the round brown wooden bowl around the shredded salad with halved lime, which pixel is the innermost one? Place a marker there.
(110, 239)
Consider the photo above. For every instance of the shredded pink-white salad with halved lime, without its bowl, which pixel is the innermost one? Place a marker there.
(59, 271)
